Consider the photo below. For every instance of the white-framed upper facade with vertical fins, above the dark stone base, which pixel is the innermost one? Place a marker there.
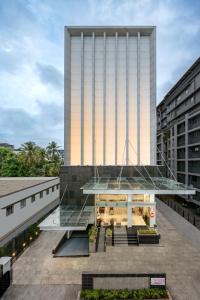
(110, 95)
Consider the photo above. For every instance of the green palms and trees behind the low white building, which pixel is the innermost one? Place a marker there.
(30, 160)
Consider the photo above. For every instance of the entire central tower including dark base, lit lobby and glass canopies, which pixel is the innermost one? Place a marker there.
(110, 176)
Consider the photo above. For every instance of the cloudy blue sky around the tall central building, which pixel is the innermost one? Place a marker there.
(31, 55)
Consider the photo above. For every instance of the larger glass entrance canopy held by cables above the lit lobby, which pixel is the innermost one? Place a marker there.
(136, 185)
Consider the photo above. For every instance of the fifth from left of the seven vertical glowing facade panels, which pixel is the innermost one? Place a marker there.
(121, 97)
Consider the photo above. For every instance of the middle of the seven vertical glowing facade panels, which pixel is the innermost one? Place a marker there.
(110, 100)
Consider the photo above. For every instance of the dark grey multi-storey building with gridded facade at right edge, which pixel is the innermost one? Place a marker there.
(178, 129)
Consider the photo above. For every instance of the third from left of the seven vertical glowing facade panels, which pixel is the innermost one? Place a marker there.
(99, 68)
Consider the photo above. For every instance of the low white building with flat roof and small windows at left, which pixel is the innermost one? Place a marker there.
(23, 202)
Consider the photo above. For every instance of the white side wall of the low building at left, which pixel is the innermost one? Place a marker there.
(21, 218)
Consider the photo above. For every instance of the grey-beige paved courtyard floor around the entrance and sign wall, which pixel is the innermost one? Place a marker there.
(40, 276)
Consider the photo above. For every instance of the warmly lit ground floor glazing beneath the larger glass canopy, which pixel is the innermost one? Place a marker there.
(125, 210)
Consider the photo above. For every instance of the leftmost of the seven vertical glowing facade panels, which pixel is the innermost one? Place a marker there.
(75, 100)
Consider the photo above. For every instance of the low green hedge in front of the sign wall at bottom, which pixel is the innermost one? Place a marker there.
(124, 294)
